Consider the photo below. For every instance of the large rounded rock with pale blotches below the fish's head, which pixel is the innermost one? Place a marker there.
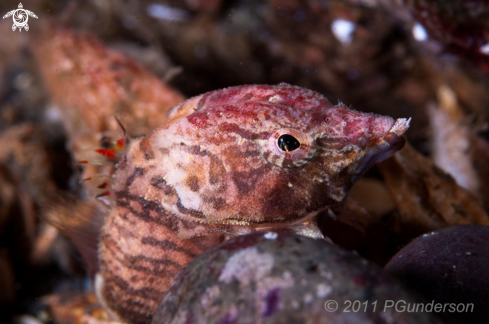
(282, 278)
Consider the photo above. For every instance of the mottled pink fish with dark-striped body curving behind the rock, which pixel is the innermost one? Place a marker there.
(225, 163)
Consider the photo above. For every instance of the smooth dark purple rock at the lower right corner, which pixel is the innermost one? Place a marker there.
(449, 266)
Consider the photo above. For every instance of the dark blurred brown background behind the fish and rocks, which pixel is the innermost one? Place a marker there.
(83, 62)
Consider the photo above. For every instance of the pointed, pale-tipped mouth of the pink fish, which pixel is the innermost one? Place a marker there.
(387, 146)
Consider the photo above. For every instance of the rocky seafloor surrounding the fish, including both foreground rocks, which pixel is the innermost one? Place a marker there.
(413, 229)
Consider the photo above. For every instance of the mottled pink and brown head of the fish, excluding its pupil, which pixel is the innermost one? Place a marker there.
(219, 153)
